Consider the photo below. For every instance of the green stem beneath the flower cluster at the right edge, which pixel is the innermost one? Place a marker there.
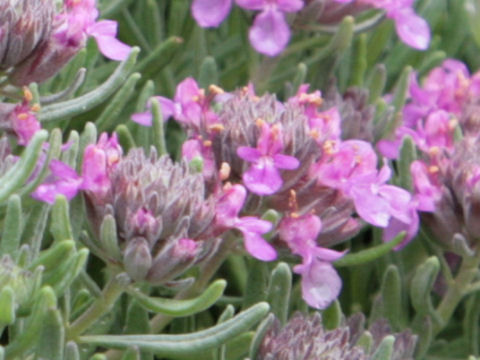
(456, 291)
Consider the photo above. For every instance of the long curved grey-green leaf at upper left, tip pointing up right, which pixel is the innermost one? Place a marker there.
(79, 105)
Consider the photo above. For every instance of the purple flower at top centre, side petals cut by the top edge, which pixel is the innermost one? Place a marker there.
(270, 32)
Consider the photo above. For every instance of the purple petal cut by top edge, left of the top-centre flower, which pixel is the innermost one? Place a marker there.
(210, 13)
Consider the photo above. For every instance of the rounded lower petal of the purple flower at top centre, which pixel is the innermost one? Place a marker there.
(269, 34)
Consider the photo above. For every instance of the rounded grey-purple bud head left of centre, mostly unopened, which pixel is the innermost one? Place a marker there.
(164, 217)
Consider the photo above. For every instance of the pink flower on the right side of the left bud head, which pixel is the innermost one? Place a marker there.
(228, 207)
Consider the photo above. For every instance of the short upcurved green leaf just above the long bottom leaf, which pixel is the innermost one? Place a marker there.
(176, 307)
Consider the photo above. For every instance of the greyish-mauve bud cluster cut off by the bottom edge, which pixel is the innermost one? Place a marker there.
(305, 338)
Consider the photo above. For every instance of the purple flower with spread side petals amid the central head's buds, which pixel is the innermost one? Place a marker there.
(263, 177)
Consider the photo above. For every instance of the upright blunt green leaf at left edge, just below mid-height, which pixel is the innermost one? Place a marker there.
(12, 228)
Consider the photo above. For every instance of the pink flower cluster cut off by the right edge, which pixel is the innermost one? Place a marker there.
(442, 121)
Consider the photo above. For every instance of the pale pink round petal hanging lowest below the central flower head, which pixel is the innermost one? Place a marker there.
(320, 284)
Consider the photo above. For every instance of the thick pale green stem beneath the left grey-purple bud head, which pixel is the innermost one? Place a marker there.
(101, 306)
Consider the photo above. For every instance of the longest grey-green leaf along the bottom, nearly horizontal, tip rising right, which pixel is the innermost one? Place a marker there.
(185, 344)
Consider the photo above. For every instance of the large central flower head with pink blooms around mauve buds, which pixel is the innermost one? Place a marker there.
(291, 158)
